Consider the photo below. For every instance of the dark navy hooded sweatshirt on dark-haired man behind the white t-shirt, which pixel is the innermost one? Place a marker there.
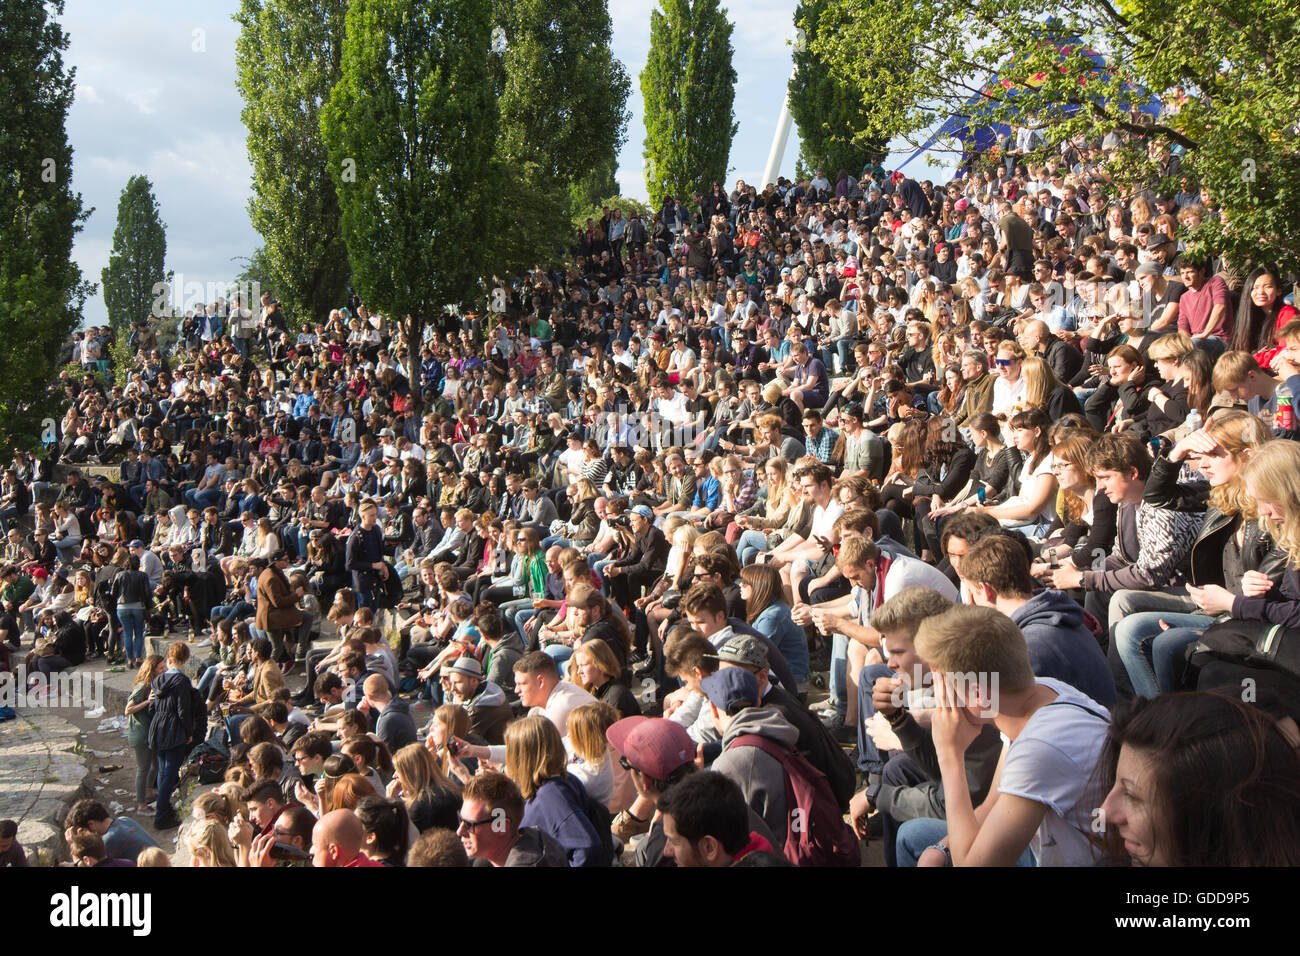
(1063, 648)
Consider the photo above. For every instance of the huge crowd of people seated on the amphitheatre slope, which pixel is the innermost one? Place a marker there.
(961, 517)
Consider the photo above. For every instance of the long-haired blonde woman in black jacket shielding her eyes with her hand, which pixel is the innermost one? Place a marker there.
(1236, 552)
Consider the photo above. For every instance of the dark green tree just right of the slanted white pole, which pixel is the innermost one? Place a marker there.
(827, 111)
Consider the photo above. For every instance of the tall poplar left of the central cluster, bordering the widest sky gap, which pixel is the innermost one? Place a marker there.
(288, 60)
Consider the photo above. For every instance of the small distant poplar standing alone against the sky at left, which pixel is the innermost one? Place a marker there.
(137, 262)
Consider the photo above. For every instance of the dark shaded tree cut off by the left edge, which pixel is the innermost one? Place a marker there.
(42, 291)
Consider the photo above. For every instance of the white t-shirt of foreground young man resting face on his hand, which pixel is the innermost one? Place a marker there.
(1052, 763)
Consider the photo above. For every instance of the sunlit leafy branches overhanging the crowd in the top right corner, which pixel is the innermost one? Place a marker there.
(1238, 63)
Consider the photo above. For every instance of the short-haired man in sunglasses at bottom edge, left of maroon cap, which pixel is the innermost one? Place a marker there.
(491, 812)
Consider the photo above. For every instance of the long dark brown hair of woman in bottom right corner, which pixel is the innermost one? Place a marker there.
(1225, 780)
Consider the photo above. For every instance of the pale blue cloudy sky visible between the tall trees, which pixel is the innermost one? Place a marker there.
(157, 96)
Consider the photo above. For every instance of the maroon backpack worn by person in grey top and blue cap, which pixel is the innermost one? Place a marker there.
(820, 837)
